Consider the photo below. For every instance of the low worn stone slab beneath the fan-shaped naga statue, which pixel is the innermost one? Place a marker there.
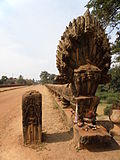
(84, 137)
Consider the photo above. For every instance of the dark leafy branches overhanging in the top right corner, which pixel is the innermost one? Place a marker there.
(107, 11)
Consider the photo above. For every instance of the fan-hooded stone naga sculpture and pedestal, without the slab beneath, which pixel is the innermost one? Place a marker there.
(83, 60)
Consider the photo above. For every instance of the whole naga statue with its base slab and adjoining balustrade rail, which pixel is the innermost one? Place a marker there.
(83, 60)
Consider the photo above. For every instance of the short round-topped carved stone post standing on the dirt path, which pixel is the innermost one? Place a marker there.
(32, 117)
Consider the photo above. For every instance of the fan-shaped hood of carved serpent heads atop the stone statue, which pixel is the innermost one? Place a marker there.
(83, 42)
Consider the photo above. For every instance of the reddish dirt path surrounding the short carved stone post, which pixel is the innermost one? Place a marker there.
(58, 140)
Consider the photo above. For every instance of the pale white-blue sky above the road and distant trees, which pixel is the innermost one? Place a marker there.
(29, 34)
